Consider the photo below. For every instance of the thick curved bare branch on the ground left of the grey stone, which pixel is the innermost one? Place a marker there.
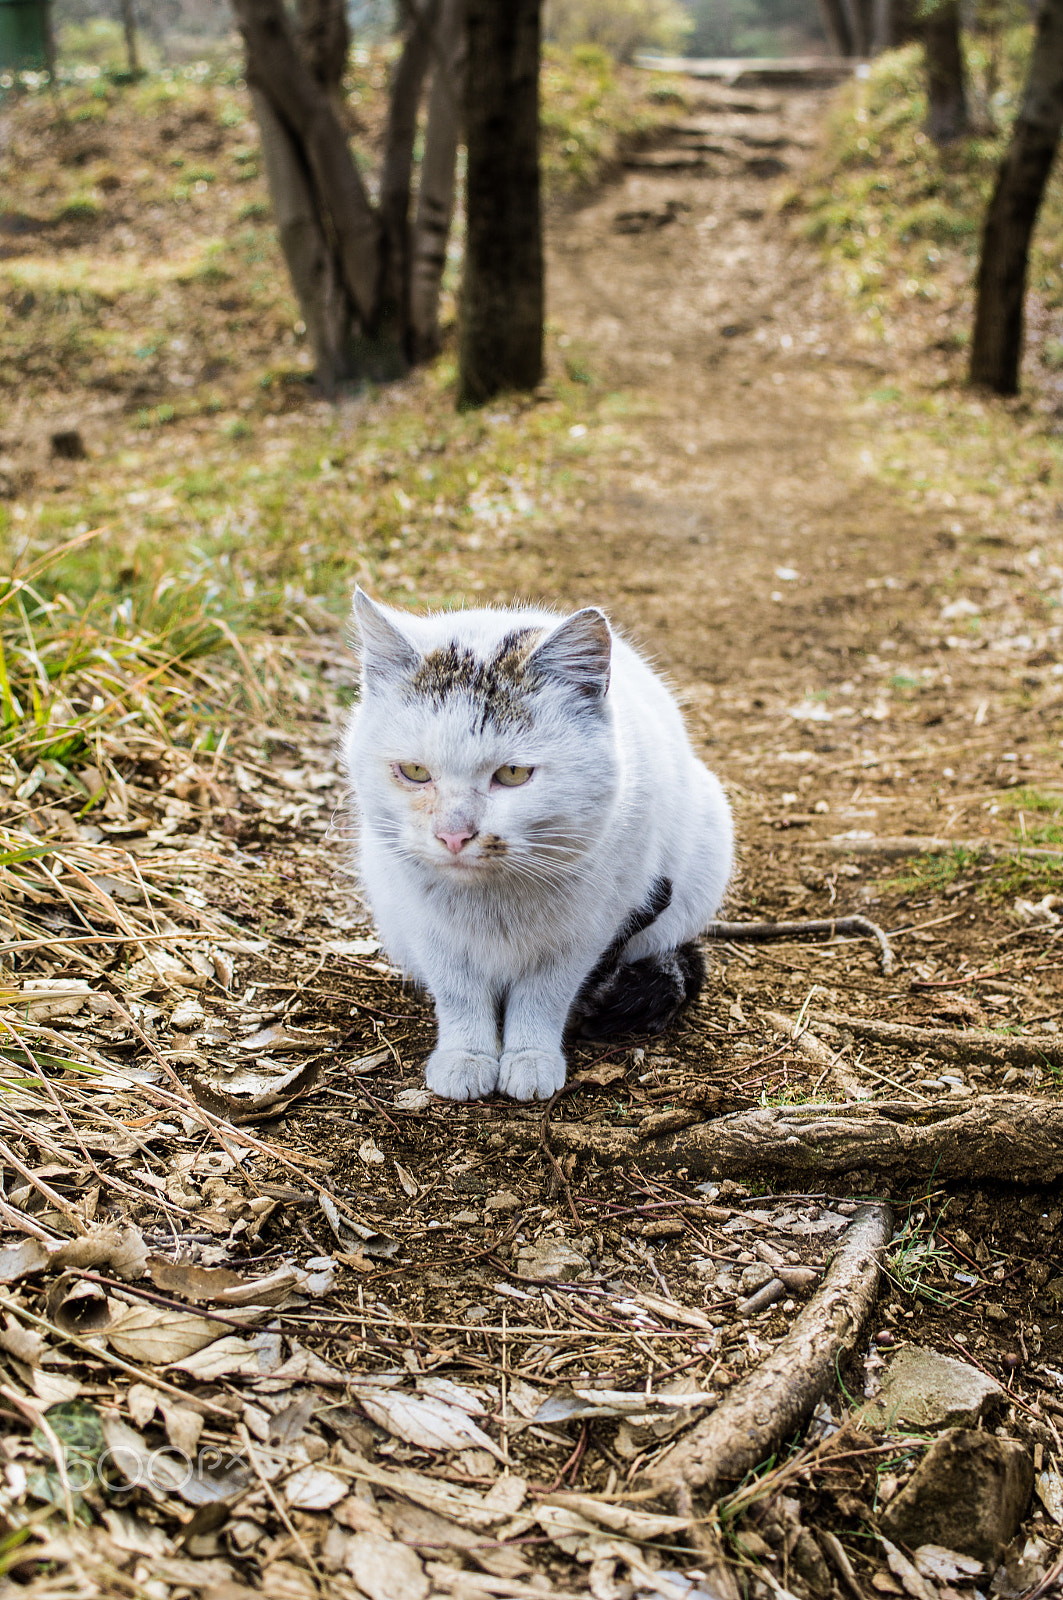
(780, 1396)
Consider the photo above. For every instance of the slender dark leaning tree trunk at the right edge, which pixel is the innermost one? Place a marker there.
(998, 338)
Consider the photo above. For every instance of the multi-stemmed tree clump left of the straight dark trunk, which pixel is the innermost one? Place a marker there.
(350, 260)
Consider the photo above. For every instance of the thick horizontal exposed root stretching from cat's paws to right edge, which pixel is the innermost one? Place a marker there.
(1013, 1138)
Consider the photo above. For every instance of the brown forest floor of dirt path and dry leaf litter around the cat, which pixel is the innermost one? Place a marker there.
(867, 642)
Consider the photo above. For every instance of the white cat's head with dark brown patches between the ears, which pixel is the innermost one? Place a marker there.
(484, 740)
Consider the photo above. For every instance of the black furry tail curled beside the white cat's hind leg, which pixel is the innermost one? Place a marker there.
(644, 996)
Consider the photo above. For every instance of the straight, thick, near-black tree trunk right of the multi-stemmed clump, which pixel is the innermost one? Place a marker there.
(502, 297)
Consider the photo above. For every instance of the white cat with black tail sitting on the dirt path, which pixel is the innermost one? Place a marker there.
(539, 842)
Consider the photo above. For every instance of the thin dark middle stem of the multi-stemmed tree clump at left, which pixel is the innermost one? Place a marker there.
(393, 290)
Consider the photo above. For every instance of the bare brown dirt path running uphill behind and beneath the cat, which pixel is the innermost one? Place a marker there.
(732, 521)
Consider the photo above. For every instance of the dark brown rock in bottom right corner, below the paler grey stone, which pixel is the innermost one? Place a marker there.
(969, 1494)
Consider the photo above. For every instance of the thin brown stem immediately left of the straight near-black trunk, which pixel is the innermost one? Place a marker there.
(436, 191)
